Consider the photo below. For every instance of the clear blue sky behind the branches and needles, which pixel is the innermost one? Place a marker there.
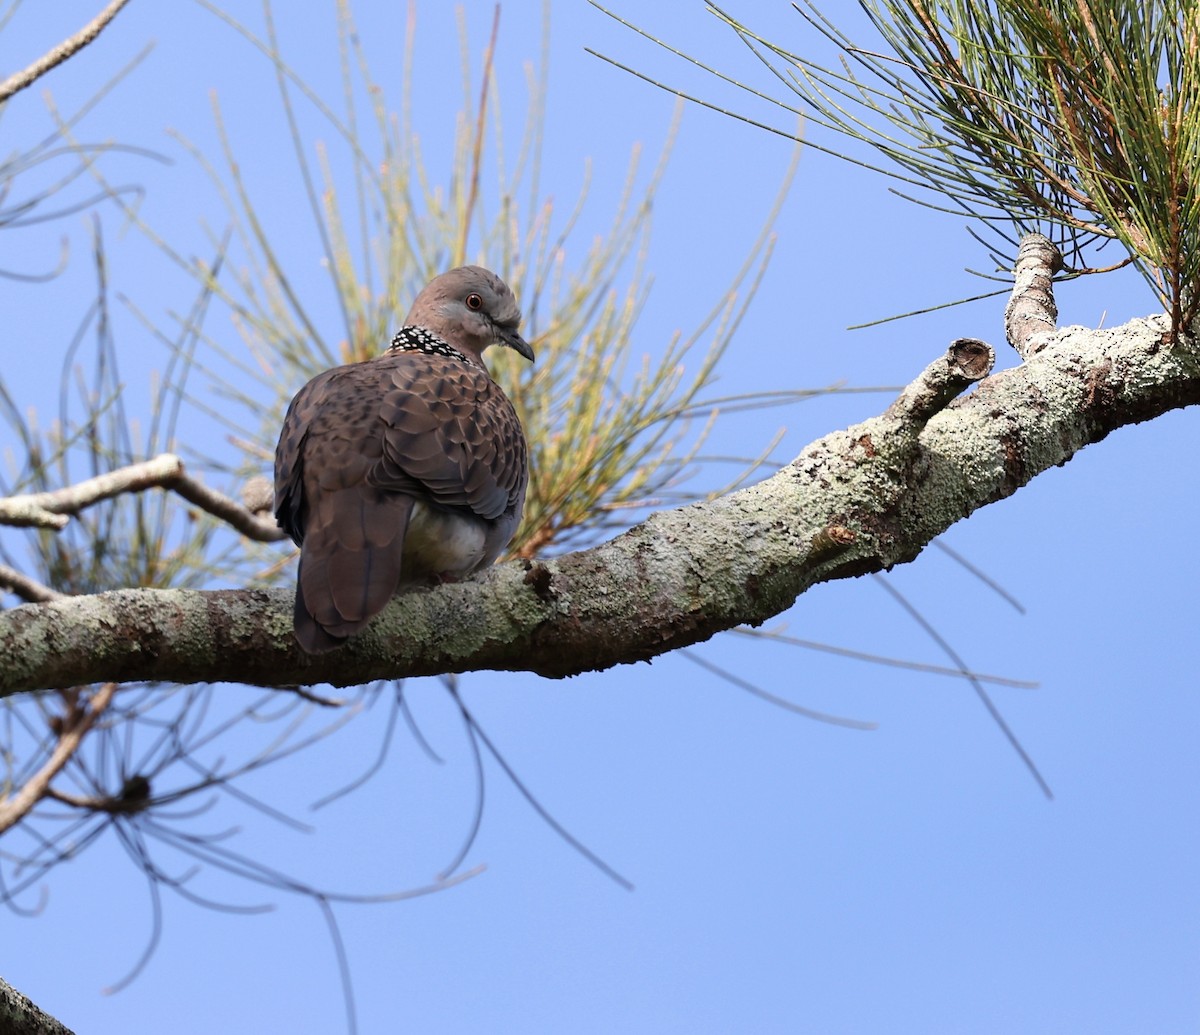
(789, 876)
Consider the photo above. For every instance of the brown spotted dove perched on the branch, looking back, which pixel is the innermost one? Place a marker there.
(406, 469)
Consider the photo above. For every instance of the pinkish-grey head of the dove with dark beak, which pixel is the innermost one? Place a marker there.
(471, 308)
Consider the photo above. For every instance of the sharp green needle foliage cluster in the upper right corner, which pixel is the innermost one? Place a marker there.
(1073, 118)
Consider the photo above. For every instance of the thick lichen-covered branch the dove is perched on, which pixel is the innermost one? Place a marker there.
(856, 501)
